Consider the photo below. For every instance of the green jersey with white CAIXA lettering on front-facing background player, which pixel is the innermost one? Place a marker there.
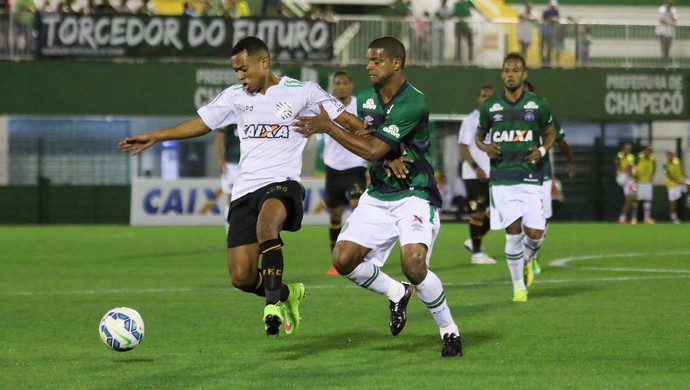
(515, 128)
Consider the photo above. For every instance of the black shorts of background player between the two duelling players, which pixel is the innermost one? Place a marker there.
(341, 186)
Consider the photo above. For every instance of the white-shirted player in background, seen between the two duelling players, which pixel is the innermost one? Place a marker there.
(345, 171)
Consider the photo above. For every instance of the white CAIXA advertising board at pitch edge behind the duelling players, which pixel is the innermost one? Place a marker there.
(157, 202)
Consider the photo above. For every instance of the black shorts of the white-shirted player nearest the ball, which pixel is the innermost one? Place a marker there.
(244, 212)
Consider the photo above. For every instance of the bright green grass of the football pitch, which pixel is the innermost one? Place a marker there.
(615, 313)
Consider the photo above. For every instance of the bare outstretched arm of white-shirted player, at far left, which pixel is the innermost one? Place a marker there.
(188, 129)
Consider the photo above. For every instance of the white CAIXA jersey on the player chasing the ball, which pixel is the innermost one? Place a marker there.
(270, 148)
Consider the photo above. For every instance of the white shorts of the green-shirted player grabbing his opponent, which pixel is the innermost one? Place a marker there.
(378, 224)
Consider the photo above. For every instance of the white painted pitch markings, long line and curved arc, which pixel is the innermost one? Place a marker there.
(674, 274)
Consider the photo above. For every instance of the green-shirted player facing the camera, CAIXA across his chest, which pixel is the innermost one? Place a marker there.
(521, 130)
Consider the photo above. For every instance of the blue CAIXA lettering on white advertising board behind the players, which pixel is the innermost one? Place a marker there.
(182, 201)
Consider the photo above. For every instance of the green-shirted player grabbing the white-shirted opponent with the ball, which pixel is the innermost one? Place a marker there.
(394, 206)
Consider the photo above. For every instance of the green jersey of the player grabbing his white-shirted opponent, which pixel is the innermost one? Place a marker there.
(402, 123)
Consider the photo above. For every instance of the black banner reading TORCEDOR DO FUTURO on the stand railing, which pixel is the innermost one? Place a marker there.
(136, 36)
